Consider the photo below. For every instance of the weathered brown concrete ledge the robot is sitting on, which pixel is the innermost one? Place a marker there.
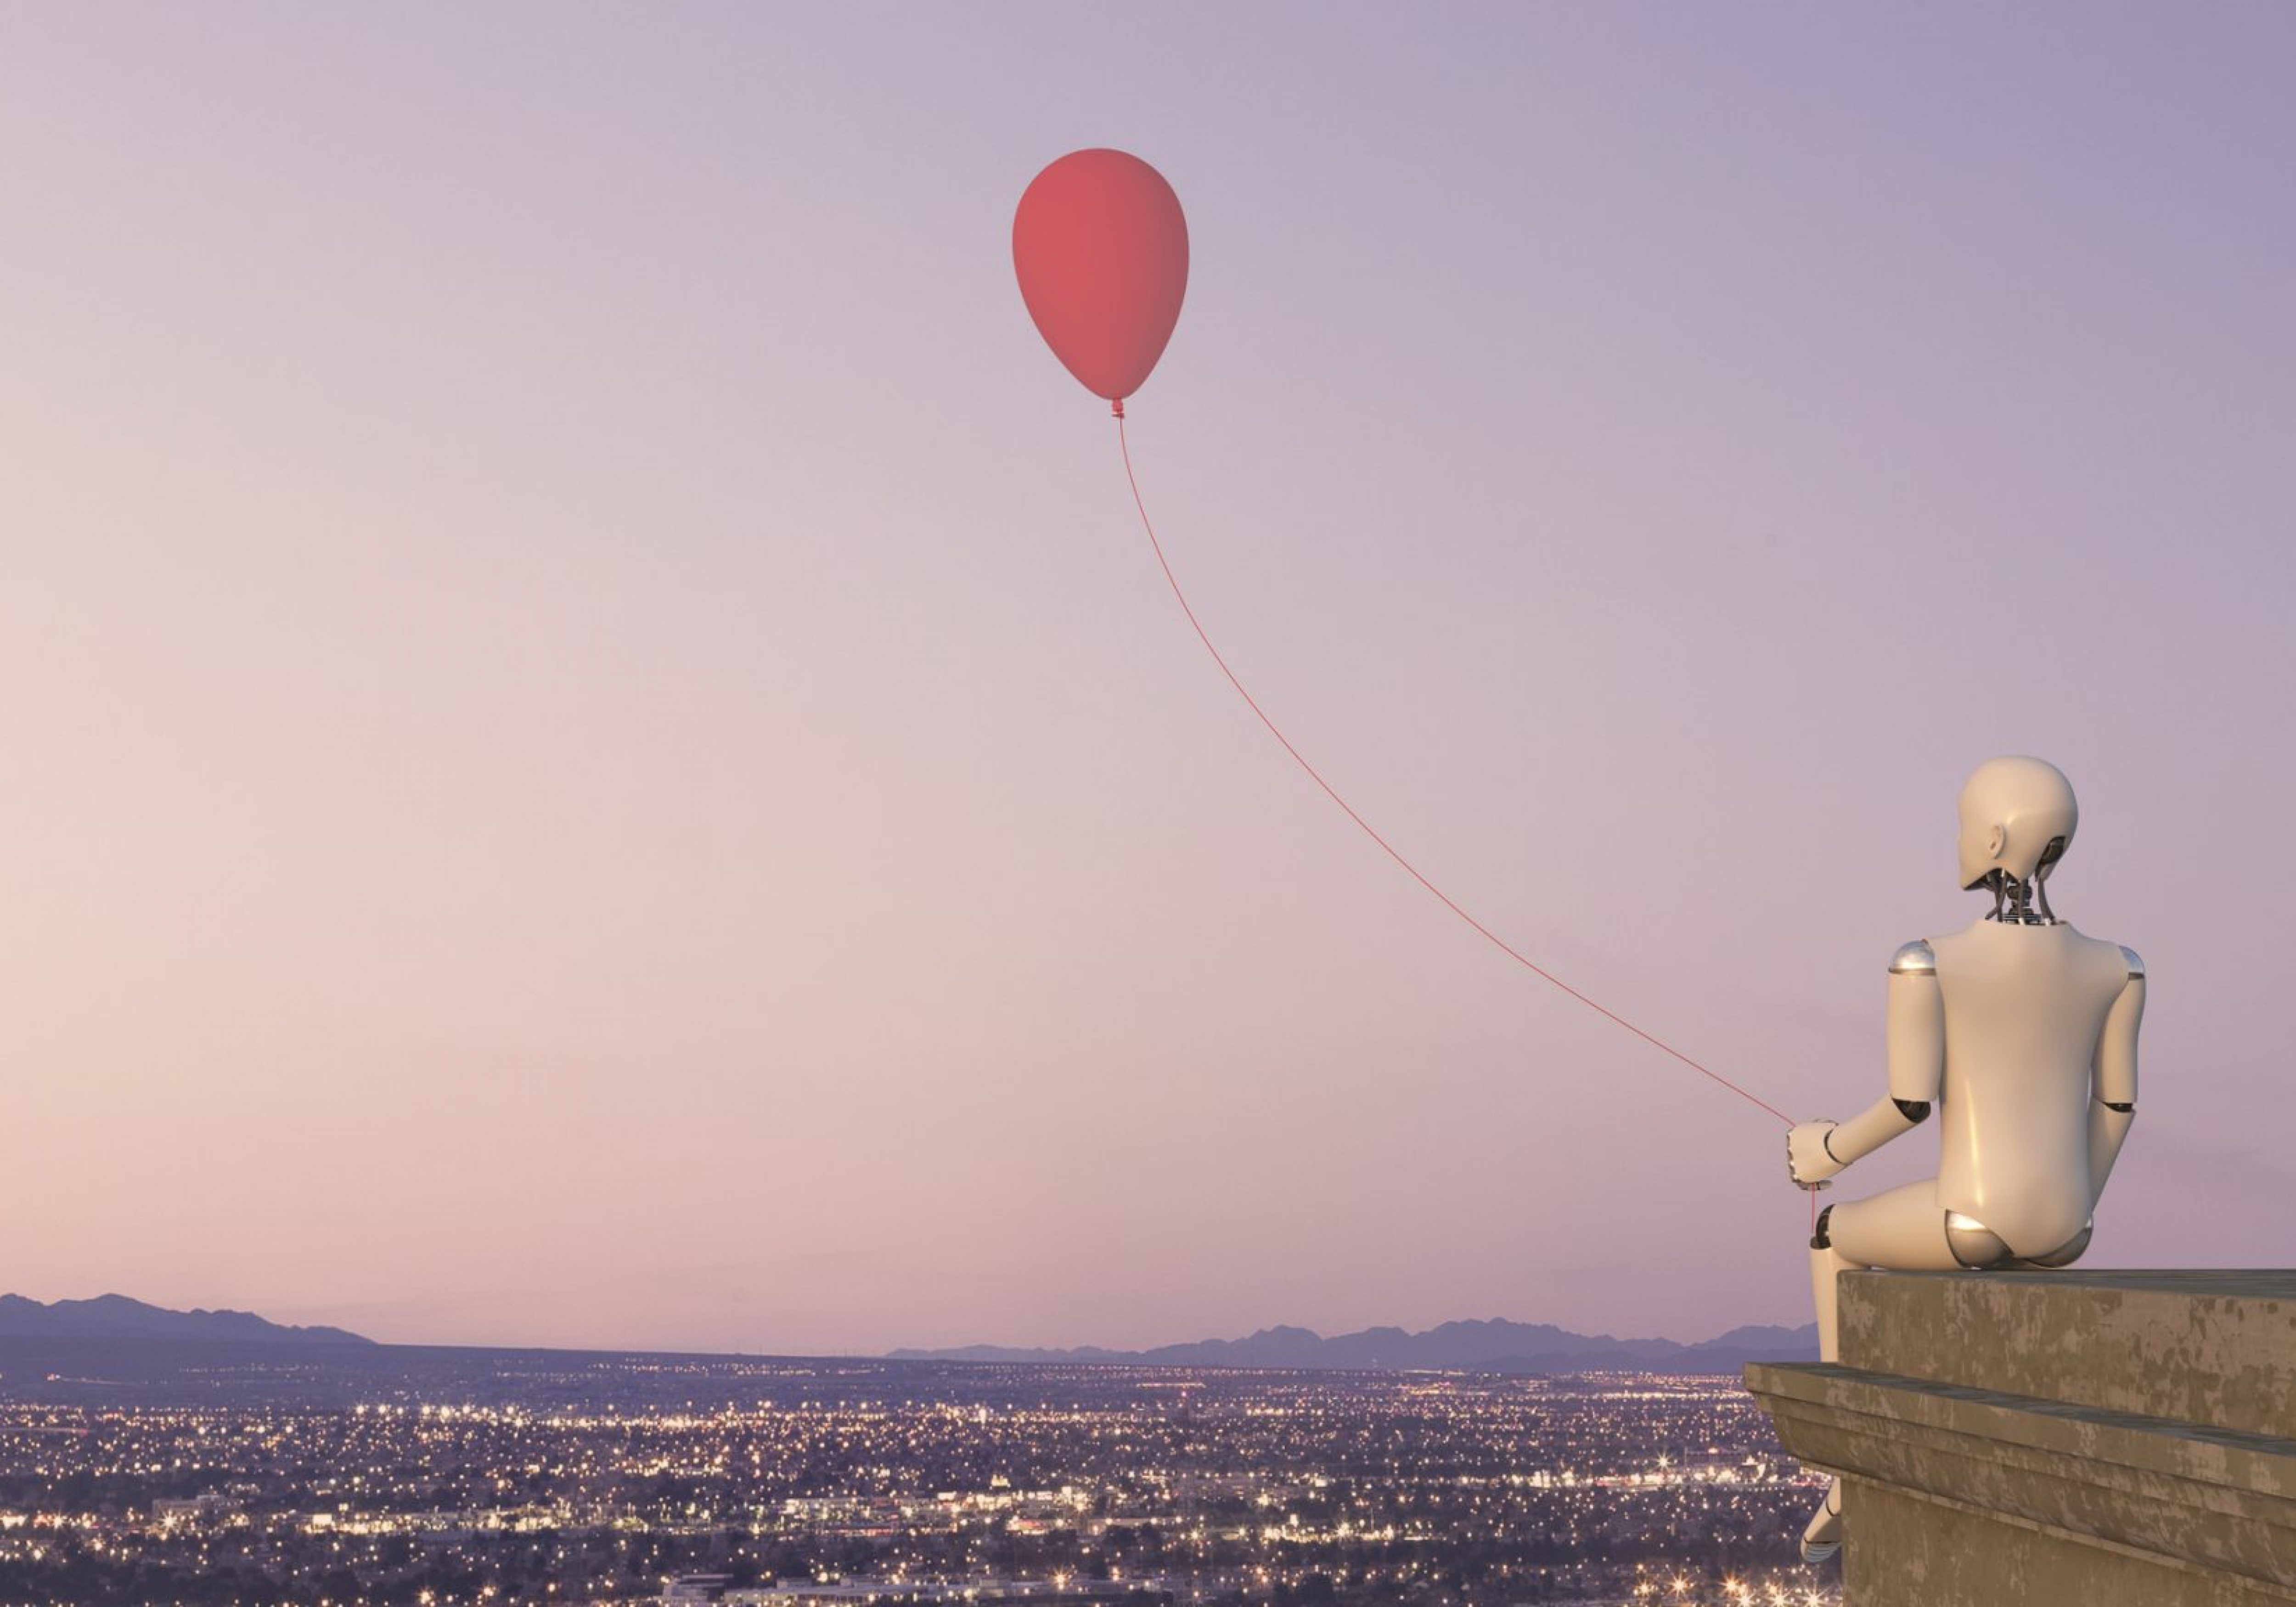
(2058, 1436)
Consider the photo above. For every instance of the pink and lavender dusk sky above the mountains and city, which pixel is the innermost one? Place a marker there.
(591, 750)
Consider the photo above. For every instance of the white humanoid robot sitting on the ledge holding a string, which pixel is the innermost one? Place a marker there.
(2024, 1034)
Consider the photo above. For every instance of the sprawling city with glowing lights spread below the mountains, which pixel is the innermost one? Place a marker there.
(915, 1486)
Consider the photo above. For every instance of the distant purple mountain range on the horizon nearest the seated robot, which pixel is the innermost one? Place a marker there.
(1523, 1349)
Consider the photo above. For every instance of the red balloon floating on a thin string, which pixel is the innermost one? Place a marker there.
(1101, 251)
